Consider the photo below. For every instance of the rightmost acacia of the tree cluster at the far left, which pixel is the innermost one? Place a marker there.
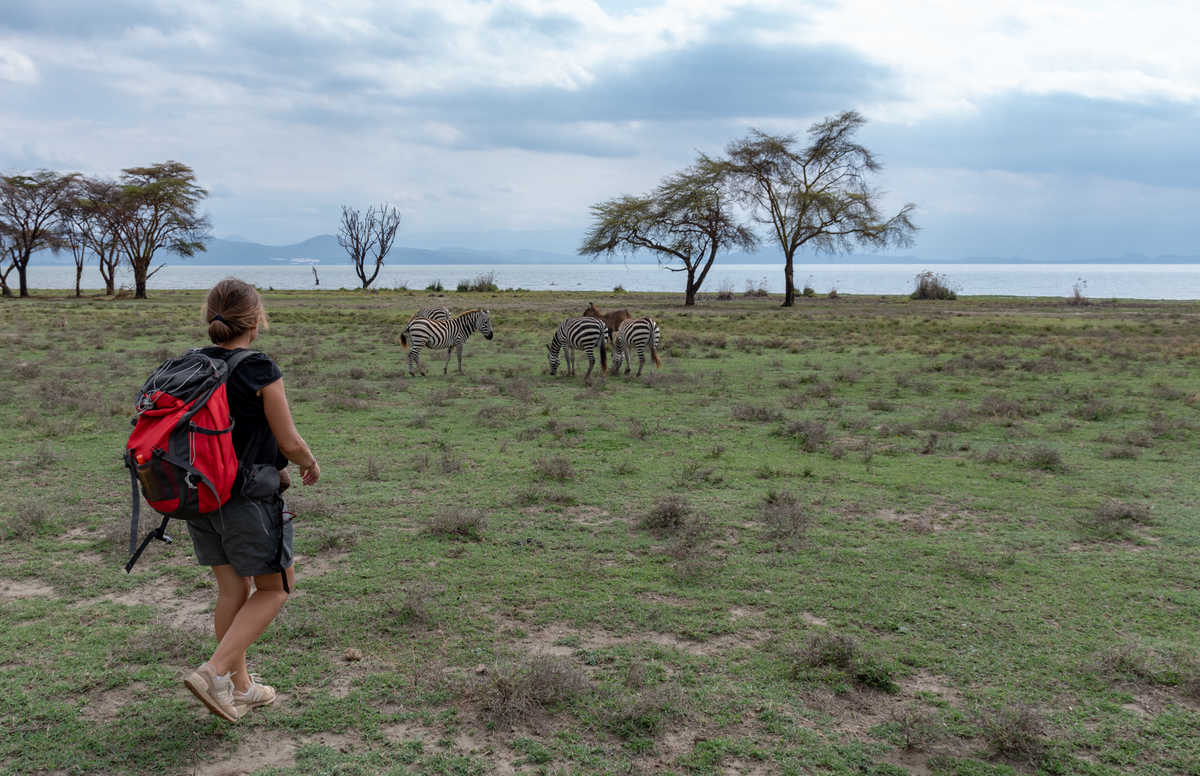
(158, 210)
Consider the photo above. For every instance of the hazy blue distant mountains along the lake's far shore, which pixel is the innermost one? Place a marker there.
(325, 250)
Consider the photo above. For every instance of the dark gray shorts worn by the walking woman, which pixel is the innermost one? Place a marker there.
(245, 536)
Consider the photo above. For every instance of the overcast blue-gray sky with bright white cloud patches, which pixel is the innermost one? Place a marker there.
(1025, 129)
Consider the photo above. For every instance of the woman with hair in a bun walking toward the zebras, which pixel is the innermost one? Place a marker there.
(250, 539)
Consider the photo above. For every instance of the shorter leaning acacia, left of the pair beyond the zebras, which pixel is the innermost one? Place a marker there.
(686, 221)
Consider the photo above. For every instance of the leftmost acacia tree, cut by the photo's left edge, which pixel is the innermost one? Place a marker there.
(31, 208)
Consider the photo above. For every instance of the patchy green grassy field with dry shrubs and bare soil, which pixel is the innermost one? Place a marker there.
(866, 536)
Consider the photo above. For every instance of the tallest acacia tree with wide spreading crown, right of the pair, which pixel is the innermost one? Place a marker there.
(818, 196)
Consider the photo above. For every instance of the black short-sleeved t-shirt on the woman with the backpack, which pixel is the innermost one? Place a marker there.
(253, 438)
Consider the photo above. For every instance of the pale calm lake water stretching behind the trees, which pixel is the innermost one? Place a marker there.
(1097, 281)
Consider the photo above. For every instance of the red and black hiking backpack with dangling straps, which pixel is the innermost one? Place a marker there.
(182, 447)
